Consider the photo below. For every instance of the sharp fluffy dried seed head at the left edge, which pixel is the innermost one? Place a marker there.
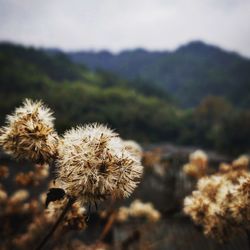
(29, 133)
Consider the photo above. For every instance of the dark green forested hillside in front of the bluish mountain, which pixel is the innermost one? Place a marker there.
(135, 109)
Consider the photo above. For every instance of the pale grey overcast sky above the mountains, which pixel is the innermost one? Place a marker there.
(126, 24)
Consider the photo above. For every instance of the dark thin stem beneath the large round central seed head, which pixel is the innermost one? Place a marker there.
(60, 218)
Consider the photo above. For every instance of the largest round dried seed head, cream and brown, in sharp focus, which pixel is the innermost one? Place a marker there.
(93, 164)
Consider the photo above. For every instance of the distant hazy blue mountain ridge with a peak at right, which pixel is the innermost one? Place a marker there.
(190, 73)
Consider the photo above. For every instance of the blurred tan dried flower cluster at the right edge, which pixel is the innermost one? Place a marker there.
(221, 203)
